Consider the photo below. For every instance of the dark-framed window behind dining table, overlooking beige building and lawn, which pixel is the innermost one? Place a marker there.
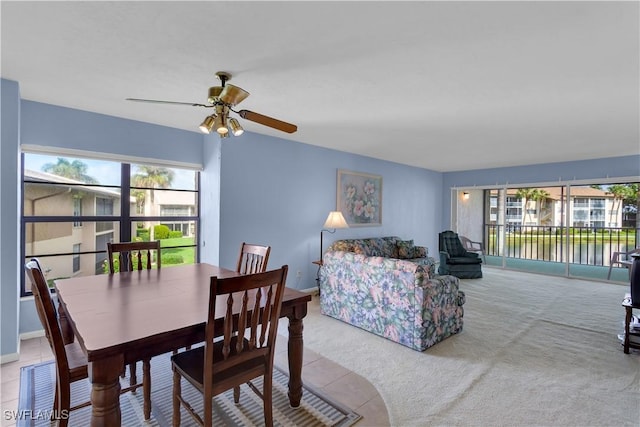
(72, 207)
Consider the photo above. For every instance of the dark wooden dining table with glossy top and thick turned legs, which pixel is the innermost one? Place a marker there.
(126, 317)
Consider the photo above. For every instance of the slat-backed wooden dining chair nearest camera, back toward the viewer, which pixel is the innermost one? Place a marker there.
(241, 354)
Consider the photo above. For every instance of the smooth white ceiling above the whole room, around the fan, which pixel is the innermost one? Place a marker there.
(441, 85)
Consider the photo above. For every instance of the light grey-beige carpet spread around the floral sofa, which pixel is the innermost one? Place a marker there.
(535, 351)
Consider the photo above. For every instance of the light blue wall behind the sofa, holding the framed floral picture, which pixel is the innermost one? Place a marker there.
(279, 193)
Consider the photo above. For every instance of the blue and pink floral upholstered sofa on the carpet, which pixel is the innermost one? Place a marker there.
(388, 286)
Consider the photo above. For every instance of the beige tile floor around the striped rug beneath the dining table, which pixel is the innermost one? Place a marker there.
(336, 382)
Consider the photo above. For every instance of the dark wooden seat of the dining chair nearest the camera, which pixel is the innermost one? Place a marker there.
(190, 364)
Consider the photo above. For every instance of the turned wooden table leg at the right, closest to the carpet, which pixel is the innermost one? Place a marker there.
(295, 352)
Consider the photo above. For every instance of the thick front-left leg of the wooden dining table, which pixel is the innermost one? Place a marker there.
(104, 375)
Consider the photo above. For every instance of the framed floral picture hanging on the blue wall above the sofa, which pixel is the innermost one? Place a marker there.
(360, 198)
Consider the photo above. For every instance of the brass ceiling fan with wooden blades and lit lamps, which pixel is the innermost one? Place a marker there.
(222, 98)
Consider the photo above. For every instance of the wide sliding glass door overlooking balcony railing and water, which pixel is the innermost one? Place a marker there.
(570, 230)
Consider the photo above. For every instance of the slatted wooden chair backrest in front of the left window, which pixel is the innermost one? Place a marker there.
(128, 252)
